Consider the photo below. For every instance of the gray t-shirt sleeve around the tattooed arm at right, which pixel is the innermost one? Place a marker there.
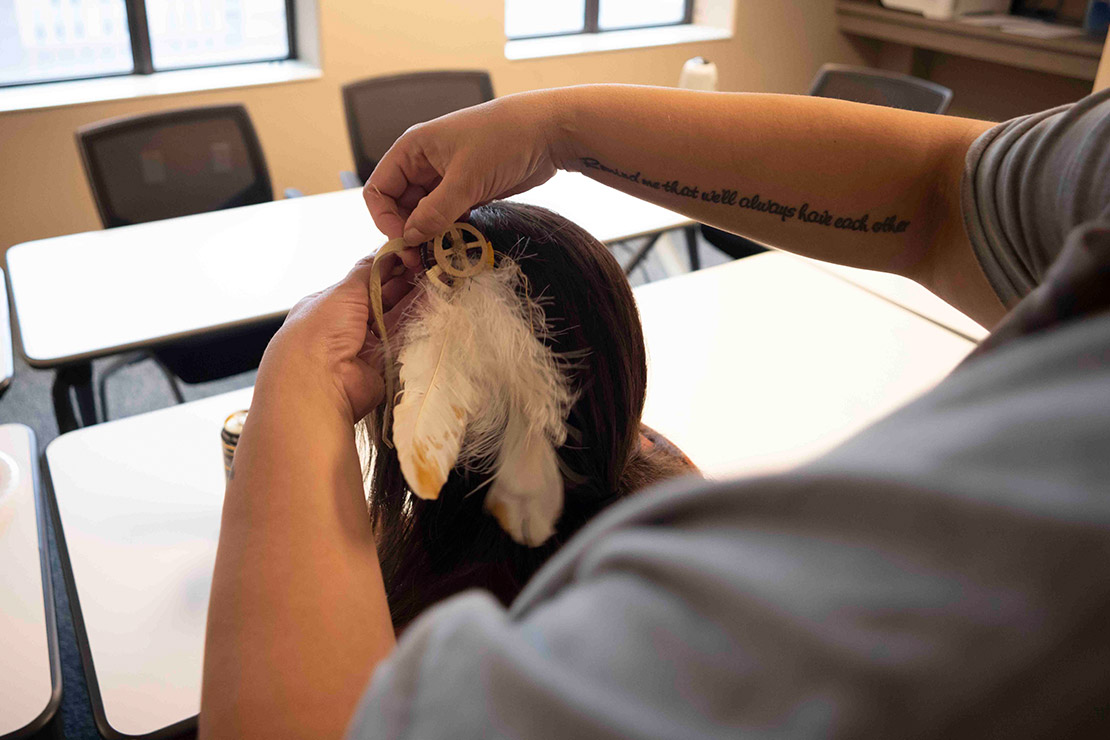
(1028, 183)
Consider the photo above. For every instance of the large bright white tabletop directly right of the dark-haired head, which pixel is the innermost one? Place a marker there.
(764, 363)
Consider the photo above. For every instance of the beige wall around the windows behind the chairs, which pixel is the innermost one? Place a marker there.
(778, 47)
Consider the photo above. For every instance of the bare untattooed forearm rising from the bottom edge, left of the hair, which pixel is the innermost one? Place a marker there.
(298, 617)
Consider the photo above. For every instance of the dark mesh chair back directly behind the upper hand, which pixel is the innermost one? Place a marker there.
(381, 109)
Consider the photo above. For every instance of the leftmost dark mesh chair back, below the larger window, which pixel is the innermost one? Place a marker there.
(160, 166)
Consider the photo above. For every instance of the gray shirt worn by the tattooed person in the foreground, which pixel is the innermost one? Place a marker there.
(946, 573)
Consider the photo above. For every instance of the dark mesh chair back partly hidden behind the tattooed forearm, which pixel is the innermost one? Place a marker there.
(881, 88)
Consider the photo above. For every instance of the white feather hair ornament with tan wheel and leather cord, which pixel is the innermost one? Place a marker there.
(473, 387)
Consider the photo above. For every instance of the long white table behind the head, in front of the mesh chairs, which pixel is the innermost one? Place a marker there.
(98, 293)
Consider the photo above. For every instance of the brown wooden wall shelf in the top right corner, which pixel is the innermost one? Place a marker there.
(1073, 57)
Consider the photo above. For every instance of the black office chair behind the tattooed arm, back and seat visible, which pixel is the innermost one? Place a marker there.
(859, 85)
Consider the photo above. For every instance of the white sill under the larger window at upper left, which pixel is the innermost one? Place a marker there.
(57, 95)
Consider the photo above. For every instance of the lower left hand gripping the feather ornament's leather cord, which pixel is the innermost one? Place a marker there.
(327, 340)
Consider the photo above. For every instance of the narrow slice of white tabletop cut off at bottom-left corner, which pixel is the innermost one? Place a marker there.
(31, 672)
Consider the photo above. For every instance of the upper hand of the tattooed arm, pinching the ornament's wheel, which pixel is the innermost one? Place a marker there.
(438, 171)
